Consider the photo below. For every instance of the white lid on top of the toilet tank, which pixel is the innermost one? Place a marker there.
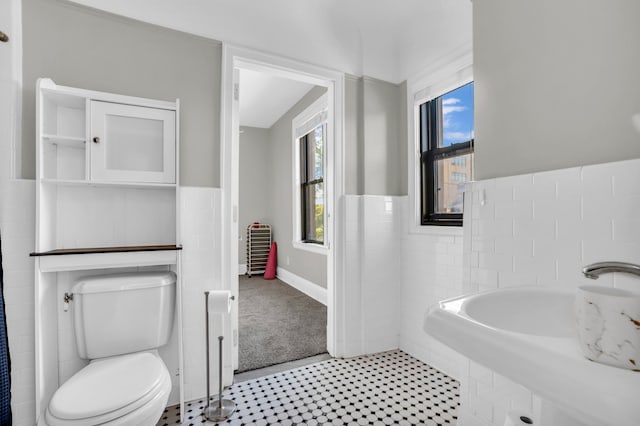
(123, 282)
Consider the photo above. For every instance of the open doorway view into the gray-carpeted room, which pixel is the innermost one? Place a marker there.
(283, 318)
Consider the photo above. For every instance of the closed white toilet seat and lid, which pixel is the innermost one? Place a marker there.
(108, 389)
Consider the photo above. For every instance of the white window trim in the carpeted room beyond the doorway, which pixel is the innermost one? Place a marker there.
(298, 129)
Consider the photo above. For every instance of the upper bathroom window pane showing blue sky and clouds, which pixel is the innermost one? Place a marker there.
(457, 116)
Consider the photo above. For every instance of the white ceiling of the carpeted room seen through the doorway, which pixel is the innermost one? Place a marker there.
(265, 98)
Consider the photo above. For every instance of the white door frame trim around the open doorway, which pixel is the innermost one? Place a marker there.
(237, 59)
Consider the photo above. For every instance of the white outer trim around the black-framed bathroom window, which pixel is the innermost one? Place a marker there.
(420, 89)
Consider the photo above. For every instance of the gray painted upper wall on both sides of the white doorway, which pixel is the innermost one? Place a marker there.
(99, 51)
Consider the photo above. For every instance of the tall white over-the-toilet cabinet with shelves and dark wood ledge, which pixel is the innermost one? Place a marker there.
(107, 198)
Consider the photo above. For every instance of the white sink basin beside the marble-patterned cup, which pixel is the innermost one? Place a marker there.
(528, 334)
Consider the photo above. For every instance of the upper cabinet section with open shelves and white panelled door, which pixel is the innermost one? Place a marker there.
(85, 140)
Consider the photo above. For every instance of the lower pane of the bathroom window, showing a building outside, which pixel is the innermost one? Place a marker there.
(451, 174)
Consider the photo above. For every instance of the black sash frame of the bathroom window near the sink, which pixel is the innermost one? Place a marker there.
(430, 133)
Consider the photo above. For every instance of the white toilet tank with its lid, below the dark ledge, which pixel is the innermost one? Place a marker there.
(123, 313)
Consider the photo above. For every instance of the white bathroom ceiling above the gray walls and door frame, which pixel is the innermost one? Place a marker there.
(386, 39)
